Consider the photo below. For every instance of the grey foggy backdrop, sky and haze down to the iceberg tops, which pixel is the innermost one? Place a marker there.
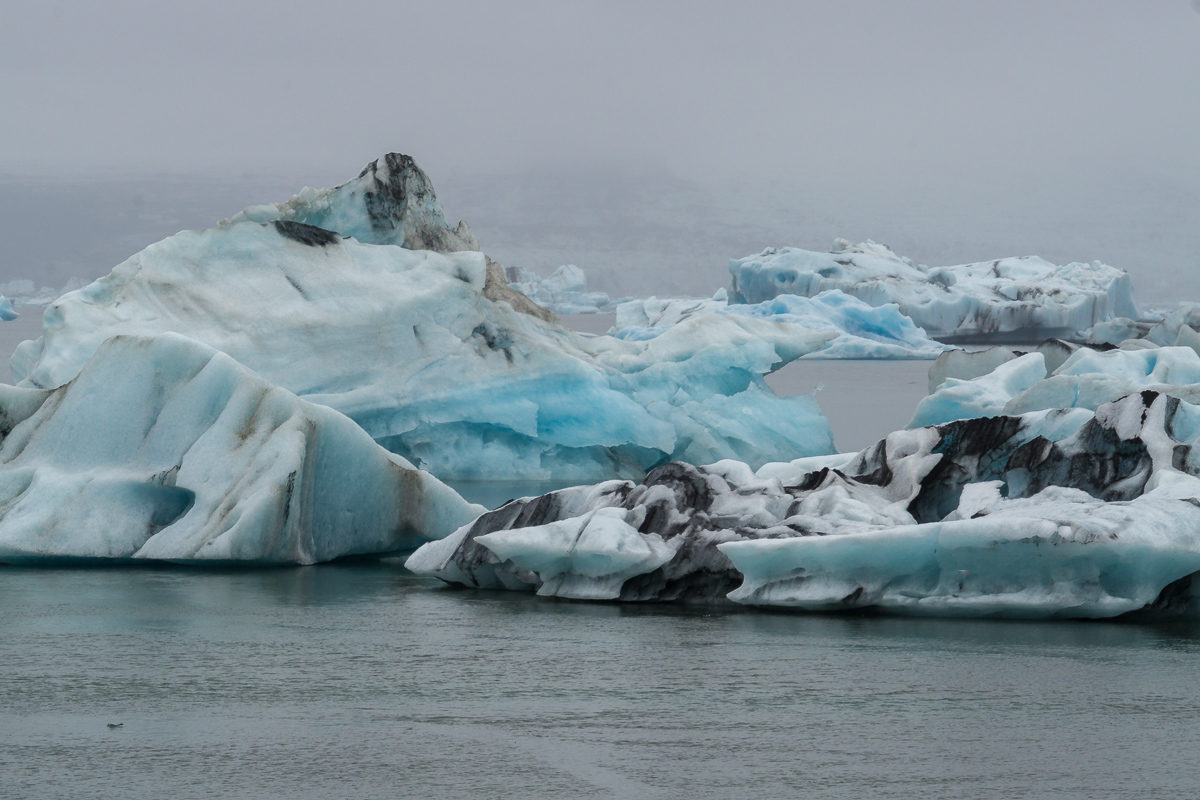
(649, 143)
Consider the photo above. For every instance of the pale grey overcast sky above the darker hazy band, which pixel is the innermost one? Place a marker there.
(747, 87)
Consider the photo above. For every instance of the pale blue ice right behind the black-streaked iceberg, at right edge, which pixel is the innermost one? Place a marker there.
(1087, 380)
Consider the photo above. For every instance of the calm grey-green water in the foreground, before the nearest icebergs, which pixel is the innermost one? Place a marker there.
(362, 681)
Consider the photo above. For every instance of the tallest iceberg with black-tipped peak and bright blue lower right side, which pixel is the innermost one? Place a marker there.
(429, 356)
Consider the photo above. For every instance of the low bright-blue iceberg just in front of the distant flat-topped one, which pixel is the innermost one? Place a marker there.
(863, 332)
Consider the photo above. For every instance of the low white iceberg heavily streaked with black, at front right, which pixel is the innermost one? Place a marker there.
(1052, 514)
